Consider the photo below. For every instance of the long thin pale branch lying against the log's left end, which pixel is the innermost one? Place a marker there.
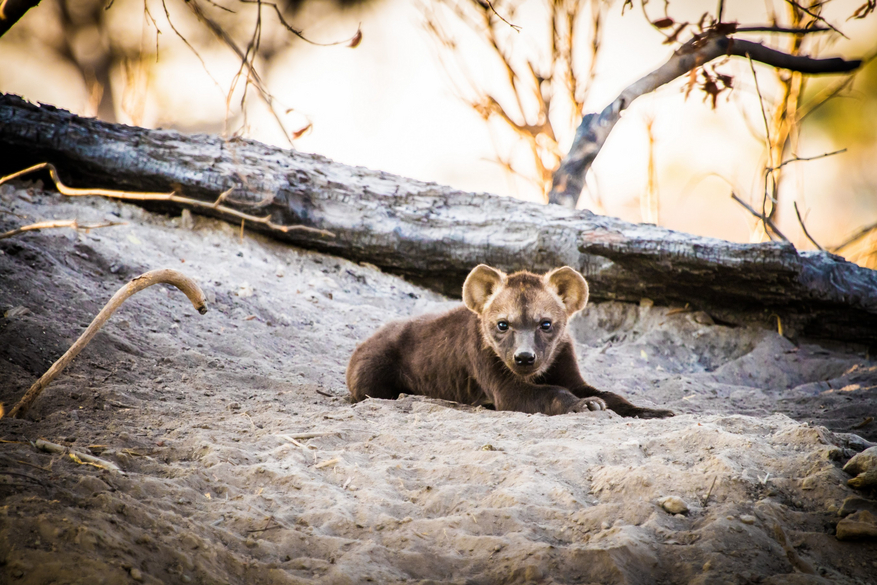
(172, 196)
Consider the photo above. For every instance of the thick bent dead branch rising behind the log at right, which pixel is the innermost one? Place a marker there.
(569, 178)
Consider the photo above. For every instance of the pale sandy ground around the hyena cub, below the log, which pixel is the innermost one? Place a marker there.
(202, 414)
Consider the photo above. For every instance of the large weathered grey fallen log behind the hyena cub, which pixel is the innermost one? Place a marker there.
(434, 235)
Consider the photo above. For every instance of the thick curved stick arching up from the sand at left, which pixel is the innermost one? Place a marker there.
(164, 275)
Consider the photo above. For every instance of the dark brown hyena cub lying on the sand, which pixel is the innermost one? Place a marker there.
(508, 346)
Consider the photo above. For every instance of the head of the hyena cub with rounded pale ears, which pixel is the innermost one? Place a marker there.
(523, 316)
